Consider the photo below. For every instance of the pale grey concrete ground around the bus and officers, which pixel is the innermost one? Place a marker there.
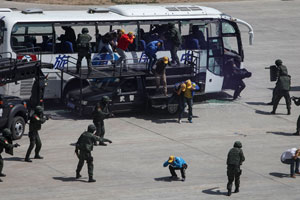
(131, 167)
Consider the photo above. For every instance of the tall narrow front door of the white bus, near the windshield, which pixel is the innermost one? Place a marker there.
(214, 78)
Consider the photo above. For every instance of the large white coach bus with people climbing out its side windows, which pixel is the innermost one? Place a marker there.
(31, 29)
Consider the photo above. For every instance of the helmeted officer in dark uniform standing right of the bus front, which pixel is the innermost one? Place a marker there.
(283, 86)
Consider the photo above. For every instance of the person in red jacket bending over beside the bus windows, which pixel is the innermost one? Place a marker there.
(123, 43)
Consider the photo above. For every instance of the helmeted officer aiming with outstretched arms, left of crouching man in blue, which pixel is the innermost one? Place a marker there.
(84, 146)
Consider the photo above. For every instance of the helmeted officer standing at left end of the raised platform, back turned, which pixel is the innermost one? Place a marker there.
(84, 49)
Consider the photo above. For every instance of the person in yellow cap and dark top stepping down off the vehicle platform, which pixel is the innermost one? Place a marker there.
(160, 73)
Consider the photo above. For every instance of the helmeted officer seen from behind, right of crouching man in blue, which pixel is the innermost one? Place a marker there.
(235, 158)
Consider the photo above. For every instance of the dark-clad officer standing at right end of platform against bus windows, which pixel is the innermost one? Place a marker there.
(174, 37)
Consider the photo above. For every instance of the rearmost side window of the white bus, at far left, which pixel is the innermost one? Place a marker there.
(31, 37)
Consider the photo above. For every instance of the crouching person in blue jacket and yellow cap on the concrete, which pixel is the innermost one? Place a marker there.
(176, 163)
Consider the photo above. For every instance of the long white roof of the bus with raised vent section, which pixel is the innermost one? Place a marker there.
(113, 13)
